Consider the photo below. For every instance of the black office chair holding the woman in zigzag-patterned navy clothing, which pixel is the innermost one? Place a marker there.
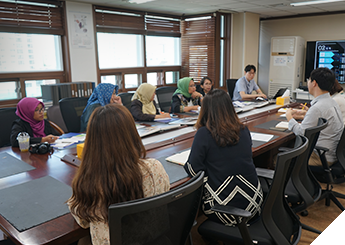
(277, 224)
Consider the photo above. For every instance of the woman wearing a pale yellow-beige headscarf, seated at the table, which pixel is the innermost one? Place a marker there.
(143, 106)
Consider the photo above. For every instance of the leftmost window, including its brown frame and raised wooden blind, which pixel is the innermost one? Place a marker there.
(31, 43)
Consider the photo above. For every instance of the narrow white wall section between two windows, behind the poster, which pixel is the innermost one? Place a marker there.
(82, 57)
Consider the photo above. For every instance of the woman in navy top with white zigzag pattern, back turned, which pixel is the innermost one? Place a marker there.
(222, 147)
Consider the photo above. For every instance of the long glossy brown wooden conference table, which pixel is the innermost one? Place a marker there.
(64, 230)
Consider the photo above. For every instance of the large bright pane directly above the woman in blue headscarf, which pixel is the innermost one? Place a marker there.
(119, 50)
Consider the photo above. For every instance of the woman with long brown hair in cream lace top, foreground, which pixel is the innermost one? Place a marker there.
(113, 170)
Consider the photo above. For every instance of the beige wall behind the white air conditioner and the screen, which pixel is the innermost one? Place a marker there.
(316, 28)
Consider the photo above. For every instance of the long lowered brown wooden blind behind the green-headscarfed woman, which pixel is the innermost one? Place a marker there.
(198, 48)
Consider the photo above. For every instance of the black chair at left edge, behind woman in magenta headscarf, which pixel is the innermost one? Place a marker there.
(7, 116)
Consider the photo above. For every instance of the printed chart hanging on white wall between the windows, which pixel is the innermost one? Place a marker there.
(81, 30)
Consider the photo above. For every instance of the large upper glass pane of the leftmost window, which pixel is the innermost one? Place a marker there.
(44, 53)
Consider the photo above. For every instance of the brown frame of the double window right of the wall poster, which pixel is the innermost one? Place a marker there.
(102, 24)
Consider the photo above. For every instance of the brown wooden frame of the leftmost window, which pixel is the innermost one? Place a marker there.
(57, 28)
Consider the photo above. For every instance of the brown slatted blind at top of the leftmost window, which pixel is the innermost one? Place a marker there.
(32, 17)
